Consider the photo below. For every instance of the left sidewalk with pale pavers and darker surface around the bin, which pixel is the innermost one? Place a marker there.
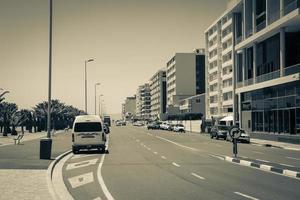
(23, 174)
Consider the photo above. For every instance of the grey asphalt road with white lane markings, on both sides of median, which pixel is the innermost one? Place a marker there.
(154, 164)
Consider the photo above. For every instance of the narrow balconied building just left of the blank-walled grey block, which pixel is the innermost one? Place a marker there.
(158, 94)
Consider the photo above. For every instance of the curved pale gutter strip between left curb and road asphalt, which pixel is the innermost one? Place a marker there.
(58, 182)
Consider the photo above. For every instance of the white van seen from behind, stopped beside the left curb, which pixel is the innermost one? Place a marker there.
(88, 133)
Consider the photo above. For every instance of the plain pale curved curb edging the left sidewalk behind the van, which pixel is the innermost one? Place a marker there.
(50, 173)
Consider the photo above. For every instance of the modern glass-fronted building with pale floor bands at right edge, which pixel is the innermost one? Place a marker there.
(267, 51)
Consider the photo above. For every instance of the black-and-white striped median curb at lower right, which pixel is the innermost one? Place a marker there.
(284, 172)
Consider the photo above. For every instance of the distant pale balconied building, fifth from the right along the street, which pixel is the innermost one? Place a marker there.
(143, 101)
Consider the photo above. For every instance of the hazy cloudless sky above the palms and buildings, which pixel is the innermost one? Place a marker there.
(129, 40)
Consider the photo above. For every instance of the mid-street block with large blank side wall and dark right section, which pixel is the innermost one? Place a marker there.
(185, 78)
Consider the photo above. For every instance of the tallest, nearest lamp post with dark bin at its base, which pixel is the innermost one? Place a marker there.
(46, 144)
